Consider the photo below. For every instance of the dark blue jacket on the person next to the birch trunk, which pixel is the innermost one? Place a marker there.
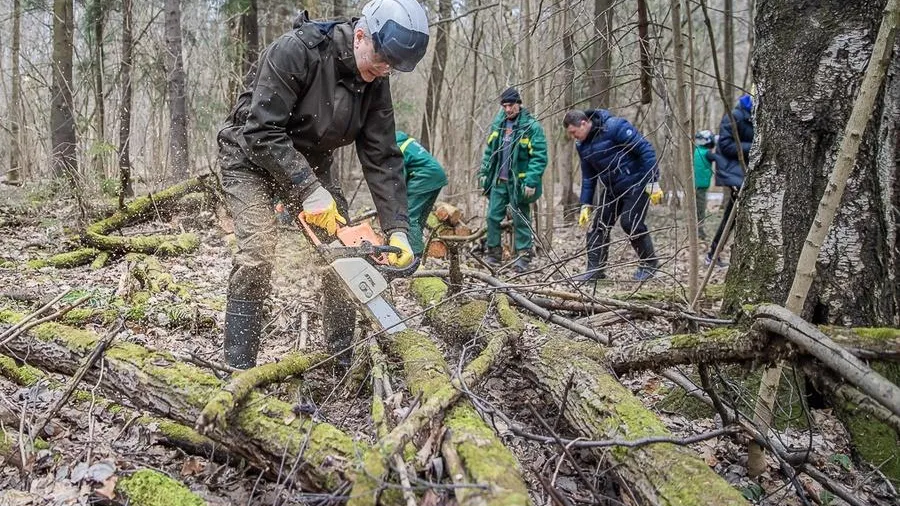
(728, 167)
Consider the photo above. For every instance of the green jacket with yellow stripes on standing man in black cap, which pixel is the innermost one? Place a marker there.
(529, 155)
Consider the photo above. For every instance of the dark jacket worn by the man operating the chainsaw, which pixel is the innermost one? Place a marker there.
(304, 99)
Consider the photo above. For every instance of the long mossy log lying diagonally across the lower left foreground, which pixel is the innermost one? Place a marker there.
(264, 432)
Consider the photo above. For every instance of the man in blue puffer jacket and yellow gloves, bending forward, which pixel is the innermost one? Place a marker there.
(615, 154)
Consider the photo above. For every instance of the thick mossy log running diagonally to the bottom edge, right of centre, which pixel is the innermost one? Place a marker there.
(601, 408)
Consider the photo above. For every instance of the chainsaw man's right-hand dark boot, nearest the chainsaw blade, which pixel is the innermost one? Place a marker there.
(338, 320)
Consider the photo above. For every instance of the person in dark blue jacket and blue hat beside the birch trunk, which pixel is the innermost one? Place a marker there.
(731, 156)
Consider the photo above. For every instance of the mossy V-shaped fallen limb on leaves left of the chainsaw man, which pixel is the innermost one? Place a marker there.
(97, 234)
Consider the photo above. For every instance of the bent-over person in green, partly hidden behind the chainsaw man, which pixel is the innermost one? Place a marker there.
(424, 179)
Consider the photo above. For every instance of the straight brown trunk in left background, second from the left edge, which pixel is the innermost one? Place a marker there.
(62, 116)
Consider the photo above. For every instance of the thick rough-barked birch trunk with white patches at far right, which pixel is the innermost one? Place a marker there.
(807, 81)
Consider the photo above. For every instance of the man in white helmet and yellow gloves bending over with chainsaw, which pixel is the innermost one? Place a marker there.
(318, 87)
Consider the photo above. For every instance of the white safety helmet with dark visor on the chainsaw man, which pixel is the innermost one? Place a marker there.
(399, 30)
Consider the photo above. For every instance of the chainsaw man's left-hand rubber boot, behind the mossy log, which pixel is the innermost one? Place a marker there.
(243, 325)
